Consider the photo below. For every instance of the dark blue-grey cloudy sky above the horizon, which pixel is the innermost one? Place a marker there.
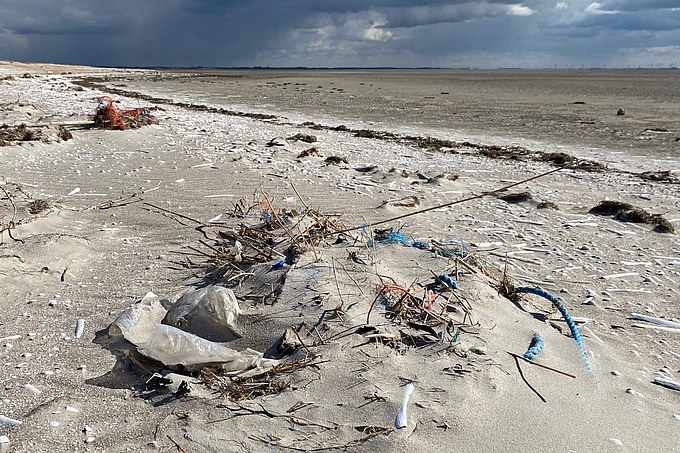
(406, 33)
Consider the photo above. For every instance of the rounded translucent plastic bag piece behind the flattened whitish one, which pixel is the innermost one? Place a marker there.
(211, 313)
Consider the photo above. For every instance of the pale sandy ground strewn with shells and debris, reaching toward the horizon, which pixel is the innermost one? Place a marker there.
(157, 209)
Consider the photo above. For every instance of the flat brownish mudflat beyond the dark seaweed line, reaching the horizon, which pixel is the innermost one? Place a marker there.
(576, 108)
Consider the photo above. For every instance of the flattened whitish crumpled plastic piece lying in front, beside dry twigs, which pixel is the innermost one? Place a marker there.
(172, 346)
